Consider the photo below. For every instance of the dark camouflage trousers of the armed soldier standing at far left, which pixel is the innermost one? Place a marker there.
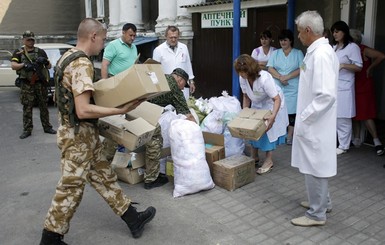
(30, 94)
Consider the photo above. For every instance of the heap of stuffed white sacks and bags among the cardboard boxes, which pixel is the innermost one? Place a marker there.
(191, 171)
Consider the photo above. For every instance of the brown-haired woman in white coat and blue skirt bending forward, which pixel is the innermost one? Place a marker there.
(260, 92)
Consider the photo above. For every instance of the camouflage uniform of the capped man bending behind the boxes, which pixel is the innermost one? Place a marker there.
(153, 148)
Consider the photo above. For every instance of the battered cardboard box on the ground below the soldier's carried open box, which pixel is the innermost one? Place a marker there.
(129, 166)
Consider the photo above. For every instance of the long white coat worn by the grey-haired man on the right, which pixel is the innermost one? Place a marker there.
(314, 142)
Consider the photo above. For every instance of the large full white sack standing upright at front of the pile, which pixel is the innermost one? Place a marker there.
(191, 171)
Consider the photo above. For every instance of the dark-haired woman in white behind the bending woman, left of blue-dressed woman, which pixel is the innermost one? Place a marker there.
(263, 52)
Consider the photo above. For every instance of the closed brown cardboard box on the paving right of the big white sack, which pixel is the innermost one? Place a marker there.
(233, 172)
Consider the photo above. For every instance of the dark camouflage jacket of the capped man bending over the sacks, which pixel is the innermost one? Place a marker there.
(175, 97)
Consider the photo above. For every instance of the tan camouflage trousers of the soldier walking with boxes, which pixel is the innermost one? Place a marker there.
(82, 161)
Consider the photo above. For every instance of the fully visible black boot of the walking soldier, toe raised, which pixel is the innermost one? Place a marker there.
(136, 220)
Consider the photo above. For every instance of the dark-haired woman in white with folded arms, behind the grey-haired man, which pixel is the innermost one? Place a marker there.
(349, 56)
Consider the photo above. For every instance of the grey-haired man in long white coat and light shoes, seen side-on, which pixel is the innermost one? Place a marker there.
(314, 139)
